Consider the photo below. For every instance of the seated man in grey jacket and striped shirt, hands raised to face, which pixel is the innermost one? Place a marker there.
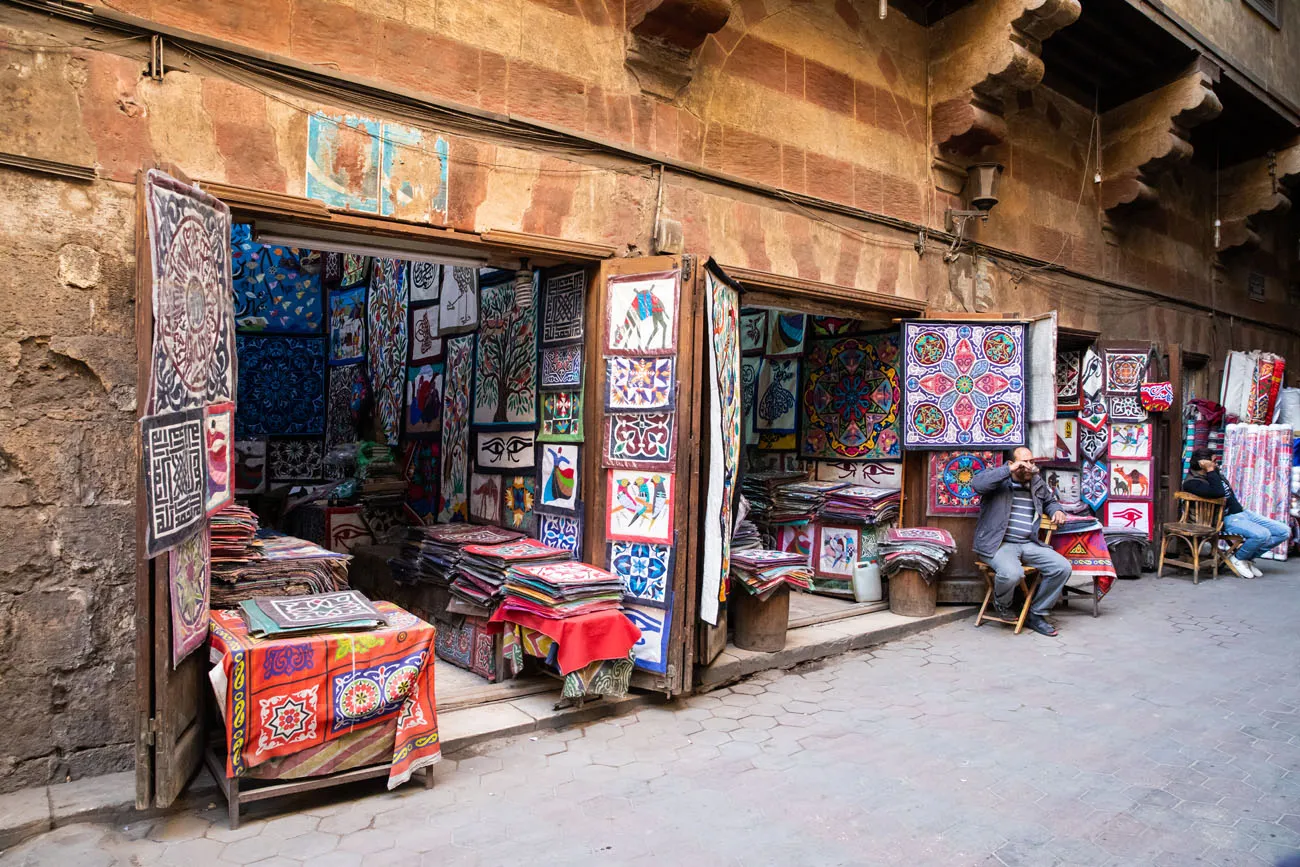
(1013, 500)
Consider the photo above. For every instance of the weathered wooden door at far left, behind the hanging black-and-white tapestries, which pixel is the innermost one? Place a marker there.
(170, 703)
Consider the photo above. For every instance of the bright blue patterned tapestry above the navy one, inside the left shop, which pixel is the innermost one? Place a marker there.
(278, 289)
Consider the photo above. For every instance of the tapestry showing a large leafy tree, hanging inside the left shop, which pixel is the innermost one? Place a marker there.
(506, 361)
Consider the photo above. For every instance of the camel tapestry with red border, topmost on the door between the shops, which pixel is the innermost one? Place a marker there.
(643, 315)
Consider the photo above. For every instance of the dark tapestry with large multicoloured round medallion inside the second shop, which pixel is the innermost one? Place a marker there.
(851, 400)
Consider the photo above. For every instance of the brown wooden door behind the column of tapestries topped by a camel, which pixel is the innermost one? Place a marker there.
(678, 652)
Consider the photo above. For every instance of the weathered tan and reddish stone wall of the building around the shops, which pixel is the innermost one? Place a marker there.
(812, 98)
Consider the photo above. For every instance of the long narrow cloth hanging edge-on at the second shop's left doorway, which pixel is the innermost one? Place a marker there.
(725, 433)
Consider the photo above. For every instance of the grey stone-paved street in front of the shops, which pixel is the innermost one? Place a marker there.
(1167, 732)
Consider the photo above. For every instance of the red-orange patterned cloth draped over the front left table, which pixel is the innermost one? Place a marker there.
(288, 696)
